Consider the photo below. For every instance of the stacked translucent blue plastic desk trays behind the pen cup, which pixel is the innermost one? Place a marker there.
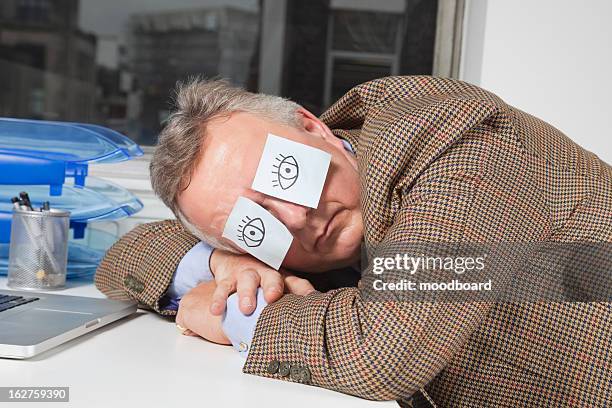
(50, 160)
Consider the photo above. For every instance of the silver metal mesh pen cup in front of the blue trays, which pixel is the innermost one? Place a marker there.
(38, 249)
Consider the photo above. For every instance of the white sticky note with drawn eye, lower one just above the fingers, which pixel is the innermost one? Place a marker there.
(254, 229)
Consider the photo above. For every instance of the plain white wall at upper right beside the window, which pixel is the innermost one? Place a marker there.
(550, 58)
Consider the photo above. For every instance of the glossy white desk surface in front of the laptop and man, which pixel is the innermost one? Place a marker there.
(142, 361)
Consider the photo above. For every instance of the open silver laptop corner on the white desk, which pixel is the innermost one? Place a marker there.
(33, 322)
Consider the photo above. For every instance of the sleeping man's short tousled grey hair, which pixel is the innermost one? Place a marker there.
(179, 148)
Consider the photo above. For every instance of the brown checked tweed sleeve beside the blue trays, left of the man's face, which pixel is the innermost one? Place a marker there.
(140, 265)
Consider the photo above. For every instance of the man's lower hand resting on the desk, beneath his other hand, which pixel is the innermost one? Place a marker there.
(194, 314)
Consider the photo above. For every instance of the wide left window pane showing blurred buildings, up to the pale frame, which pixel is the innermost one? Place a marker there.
(116, 62)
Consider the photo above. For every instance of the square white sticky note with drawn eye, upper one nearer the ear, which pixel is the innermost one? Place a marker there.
(292, 171)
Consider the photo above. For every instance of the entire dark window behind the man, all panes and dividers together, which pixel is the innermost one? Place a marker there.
(115, 63)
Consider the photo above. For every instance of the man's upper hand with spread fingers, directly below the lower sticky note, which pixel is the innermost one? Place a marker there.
(244, 274)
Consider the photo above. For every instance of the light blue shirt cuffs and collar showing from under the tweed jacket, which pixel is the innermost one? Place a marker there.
(193, 269)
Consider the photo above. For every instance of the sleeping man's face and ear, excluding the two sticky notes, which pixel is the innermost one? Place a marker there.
(325, 238)
